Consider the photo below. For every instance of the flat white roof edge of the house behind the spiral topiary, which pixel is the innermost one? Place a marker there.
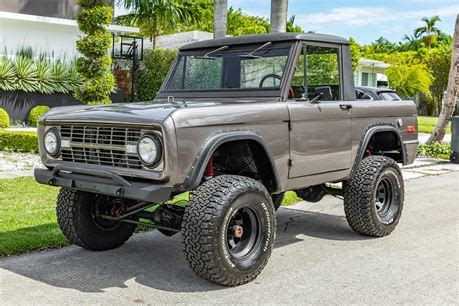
(60, 21)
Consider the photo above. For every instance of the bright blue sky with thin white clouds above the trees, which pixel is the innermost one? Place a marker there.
(365, 21)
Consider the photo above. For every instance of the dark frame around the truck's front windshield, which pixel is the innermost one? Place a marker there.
(231, 92)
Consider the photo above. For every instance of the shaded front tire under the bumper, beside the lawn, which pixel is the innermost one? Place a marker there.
(76, 221)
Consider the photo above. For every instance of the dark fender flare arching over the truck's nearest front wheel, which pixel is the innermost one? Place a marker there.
(212, 143)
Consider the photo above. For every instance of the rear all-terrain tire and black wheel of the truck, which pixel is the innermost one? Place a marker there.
(376, 180)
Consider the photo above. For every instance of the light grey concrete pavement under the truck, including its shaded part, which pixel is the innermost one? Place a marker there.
(317, 259)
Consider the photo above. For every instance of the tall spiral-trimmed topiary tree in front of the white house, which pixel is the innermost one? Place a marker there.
(94, 65)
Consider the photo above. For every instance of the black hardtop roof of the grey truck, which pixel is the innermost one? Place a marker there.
(261, 38)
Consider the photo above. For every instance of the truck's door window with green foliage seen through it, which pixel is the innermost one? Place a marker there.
(322, 72)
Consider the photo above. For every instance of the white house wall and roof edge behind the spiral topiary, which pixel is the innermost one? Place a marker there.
(50, 35)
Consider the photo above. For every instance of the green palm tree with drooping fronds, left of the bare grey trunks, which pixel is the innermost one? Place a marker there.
(156, 17)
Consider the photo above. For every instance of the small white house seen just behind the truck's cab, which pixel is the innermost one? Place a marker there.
(371, 73)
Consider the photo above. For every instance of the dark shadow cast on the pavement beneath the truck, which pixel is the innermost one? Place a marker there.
(156, 261)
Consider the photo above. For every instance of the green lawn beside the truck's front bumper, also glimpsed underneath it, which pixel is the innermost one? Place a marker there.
(28, 218)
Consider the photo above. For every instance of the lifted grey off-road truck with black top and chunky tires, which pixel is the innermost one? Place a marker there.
(237, 122)
